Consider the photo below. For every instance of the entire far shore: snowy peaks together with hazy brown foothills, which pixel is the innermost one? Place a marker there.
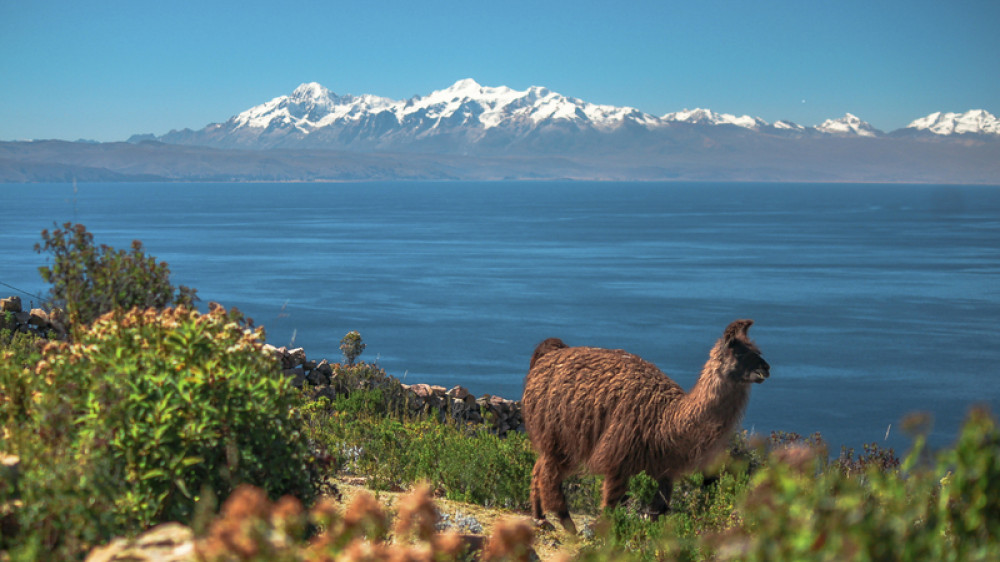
(471, 132)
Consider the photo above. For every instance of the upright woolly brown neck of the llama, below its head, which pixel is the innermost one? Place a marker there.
(700, 423)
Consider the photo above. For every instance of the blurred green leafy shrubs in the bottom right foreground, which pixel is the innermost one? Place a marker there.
(800, 506)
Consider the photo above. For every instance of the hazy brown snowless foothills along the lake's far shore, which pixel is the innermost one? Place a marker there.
(687, 155)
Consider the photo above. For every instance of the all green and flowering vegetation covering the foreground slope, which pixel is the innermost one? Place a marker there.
(151, 412)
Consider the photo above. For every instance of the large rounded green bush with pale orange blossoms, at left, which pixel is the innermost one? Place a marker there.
(129, 424)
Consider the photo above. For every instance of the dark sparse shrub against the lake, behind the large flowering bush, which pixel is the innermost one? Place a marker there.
(88, 281)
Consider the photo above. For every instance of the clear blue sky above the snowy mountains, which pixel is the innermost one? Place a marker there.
(105, 70)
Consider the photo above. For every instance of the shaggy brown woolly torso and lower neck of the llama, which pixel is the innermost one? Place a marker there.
(605, 409)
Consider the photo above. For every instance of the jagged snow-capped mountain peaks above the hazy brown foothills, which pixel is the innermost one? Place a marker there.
(470, 117)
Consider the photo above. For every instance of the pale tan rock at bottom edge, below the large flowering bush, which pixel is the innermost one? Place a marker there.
(169, 542)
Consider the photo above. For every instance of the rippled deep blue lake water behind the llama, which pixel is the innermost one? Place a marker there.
(870, 301)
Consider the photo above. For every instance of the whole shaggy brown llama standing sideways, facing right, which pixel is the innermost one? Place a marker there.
(618, 415)
